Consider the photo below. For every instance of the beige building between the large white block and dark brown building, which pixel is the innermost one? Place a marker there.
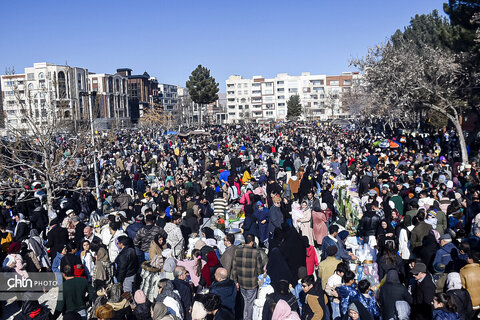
(111, 101)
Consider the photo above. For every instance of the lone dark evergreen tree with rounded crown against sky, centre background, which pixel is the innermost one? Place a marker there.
(202, 87)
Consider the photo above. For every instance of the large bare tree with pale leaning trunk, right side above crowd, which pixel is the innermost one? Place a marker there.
(402, 80)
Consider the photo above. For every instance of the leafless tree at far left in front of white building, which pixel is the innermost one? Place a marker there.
(34, 149)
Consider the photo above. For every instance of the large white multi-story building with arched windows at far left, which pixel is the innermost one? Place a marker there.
(46, 93)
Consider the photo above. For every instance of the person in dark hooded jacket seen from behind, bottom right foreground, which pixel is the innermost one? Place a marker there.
(390, 293)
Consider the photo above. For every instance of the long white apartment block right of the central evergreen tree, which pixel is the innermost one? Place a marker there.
(260, 99)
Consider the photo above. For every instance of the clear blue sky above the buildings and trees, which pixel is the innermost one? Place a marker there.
(168, 39)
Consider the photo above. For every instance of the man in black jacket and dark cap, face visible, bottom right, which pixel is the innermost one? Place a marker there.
(422, 292)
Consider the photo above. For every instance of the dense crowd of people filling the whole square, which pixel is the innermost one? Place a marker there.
(247, 223)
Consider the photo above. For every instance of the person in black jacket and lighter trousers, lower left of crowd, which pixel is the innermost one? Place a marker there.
(126, 263)
